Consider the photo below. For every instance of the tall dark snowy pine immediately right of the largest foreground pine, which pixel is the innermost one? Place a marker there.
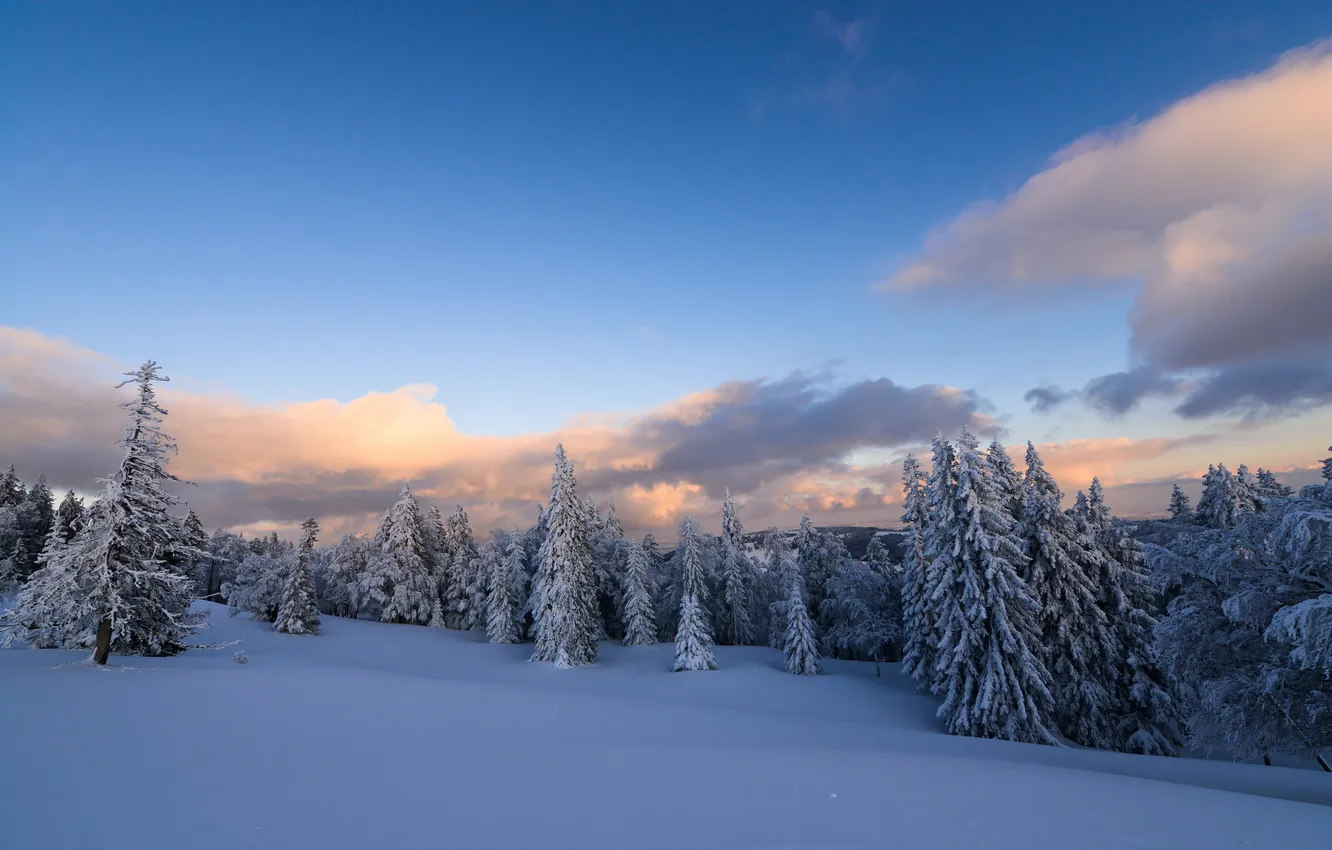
(1076, 635)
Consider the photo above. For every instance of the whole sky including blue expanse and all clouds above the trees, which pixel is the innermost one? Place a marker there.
(763, 247)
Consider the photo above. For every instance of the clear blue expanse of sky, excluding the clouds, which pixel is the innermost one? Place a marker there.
(553, 210)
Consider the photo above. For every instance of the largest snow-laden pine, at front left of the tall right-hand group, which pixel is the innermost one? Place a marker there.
(988, 665)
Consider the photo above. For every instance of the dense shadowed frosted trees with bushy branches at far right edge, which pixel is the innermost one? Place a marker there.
(1247, 637)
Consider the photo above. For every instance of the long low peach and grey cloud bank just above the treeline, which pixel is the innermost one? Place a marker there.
(780, 446)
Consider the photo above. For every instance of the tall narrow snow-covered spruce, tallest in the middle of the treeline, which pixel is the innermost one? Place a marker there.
(565, 594)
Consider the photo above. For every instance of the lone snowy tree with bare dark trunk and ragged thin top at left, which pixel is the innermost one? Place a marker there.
(113, 580)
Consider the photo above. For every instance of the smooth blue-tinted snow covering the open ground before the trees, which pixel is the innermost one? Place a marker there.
(380, 736)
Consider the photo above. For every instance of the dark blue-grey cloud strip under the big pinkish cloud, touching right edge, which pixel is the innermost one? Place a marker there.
(1261, 391)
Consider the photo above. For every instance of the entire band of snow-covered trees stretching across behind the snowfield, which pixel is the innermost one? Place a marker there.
(1030, 622)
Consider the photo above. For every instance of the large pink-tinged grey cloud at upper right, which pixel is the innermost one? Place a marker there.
(1221, 206)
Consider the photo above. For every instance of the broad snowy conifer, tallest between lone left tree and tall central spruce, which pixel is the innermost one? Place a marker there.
(398, 579)
